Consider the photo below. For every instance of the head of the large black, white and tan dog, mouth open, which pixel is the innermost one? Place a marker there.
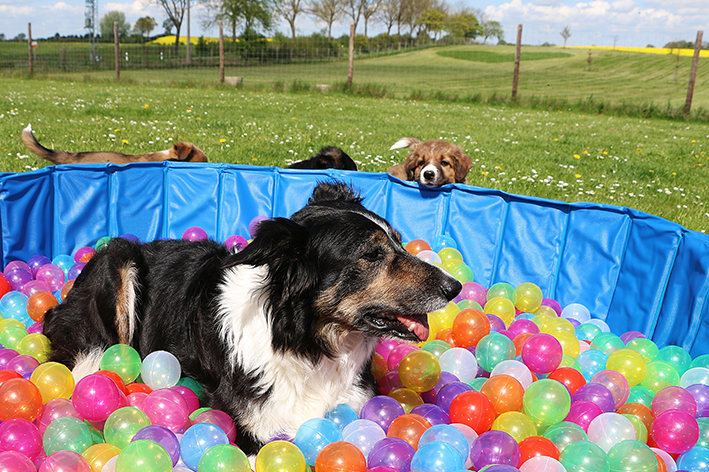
(336, 268)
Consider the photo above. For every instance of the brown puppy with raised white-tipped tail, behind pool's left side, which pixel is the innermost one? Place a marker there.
(182, 151)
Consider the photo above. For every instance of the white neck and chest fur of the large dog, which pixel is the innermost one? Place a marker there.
(299, 389)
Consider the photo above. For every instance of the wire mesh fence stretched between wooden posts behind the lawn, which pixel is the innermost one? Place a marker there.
(449, 69)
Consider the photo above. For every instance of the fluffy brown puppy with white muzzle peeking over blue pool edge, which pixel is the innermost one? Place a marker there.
(433, 163)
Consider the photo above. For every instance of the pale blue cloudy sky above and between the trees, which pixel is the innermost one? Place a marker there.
(635, 23)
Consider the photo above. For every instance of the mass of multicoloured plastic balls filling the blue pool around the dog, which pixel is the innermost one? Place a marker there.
(493, 393)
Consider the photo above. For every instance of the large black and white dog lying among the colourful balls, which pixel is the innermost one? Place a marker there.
(278, 333)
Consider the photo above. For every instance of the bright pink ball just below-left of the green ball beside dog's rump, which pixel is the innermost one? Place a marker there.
(95, 397)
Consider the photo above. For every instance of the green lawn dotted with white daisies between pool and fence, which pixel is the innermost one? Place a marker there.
(657, 166)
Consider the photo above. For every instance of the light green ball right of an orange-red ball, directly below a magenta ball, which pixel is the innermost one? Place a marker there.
(547, 402)
